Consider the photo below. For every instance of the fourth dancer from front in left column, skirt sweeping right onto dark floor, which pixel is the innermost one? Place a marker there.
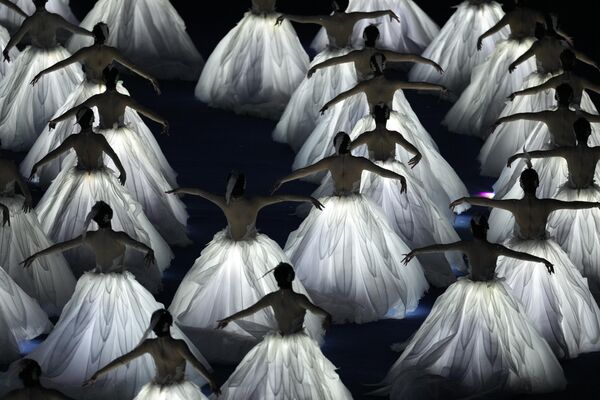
(142, 157)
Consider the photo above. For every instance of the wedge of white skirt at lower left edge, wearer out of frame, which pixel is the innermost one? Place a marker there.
(21, 318)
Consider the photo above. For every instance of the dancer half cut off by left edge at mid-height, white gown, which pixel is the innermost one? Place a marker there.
(49, 281)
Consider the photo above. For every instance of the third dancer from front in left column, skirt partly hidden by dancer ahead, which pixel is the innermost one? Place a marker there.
(63, 208)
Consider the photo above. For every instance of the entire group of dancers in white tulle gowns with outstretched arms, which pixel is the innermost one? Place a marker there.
(376, 234)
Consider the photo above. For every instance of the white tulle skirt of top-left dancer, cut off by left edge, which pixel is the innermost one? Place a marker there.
(25, 110)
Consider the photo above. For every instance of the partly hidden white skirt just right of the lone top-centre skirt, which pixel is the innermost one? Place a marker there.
(302, 111)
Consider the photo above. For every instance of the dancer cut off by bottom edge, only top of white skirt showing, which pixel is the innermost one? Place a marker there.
(170, 357)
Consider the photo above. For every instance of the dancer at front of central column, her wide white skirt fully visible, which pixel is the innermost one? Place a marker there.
(348, 256)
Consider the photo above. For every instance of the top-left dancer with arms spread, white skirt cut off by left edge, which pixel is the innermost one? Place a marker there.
(18, 131)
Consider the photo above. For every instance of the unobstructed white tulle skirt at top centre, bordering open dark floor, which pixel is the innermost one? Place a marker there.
(255, 68)
